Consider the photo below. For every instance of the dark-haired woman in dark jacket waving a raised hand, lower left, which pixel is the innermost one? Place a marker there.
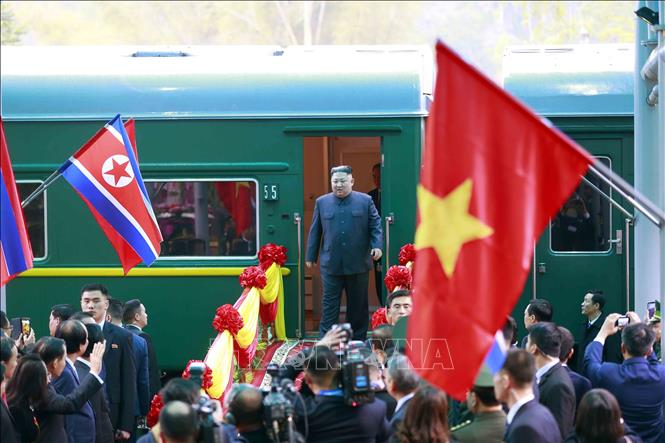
(35, 404)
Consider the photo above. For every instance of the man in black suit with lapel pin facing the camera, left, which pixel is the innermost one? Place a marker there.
(120, 380)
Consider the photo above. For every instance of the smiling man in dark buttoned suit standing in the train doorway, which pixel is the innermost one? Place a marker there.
(348, 225)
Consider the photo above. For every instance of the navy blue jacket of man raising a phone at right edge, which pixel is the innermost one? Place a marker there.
(638, 385)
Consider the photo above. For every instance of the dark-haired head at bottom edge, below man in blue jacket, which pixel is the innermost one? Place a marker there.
(598, 418)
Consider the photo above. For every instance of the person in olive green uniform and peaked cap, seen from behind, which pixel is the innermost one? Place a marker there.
(489, 423)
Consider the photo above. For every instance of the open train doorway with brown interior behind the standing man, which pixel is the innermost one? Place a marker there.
(363, 154)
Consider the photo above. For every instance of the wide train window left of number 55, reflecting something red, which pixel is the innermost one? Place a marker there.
(206, 218)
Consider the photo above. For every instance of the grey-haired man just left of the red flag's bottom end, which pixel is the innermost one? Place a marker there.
(402, 382)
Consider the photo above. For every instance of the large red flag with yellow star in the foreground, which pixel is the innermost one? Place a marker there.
(493, 173)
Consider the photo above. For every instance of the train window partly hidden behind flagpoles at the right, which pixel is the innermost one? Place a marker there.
(584, 222)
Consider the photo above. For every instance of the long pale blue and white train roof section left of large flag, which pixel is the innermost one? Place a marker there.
(95, 83)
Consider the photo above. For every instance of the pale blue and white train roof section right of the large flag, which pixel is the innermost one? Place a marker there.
(568, 80)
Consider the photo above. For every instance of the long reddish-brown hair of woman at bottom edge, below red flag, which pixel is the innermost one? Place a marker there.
(426, 418)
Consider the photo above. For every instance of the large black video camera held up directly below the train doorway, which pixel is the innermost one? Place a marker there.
(355, 372)
